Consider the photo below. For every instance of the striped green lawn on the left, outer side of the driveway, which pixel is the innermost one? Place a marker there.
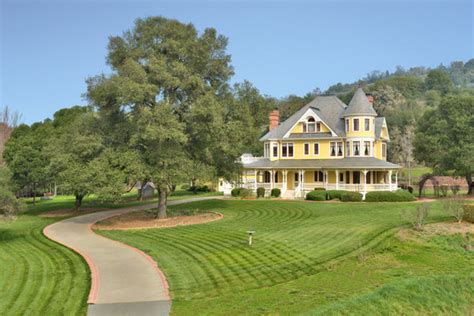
(38, 276)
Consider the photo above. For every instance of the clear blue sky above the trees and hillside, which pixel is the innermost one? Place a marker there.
(49, 48)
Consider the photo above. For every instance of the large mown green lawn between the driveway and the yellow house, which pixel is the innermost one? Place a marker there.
(316, 258)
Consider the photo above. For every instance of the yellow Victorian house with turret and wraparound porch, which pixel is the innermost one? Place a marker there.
(326, 144)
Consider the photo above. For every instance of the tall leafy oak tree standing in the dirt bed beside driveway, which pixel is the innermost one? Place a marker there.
(168, 88)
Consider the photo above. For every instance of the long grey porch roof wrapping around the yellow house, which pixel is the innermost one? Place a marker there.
(343, 163)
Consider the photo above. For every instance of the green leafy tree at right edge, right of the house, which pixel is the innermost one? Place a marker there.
(443, 139)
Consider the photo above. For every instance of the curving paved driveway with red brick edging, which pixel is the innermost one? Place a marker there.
(125, 281)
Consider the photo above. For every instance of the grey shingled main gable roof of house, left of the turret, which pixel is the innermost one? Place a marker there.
(328, 108)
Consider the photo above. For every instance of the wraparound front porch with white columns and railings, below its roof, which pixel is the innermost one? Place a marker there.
(295, 183)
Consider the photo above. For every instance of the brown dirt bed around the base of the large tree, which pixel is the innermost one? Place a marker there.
(144, 219)
